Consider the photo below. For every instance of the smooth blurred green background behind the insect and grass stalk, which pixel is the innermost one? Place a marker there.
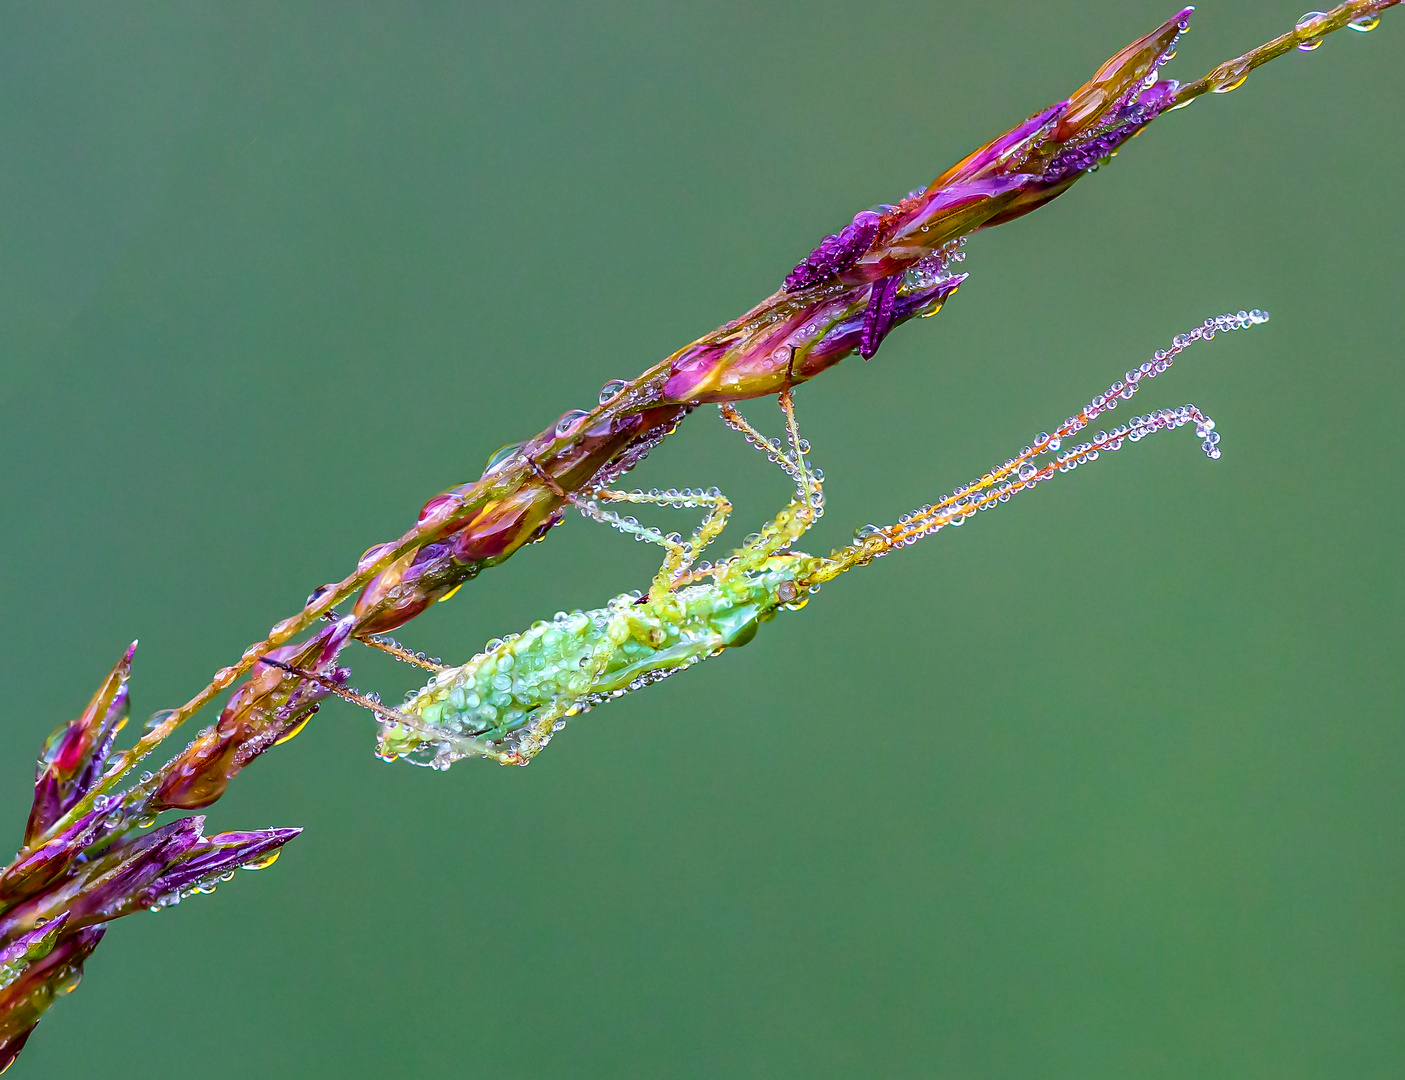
(1105, 784)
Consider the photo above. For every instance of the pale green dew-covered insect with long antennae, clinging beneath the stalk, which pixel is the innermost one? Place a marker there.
(508, 702)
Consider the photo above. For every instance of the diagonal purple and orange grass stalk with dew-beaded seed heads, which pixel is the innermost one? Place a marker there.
(86, 859)
